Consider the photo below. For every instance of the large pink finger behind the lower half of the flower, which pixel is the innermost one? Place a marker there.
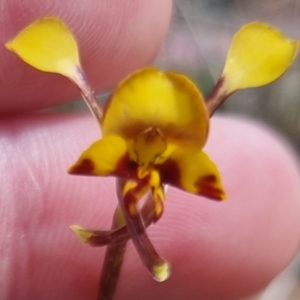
(217, 250)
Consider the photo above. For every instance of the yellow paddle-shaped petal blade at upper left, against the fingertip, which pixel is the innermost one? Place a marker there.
(47, 45)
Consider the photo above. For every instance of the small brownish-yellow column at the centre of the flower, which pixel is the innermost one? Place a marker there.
(148, 145)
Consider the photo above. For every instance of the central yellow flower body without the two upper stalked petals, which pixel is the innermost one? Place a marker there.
(154, 127)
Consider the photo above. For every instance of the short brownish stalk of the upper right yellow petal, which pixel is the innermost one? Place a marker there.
(218, 95)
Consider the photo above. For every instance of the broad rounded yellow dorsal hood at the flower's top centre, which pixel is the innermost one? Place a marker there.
(167, 101)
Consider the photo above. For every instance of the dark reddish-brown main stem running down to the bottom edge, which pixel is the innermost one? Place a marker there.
(112, 266)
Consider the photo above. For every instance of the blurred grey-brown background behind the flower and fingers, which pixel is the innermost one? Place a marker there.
(197, 44)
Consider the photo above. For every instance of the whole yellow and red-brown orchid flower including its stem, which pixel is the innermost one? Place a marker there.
(154, 127)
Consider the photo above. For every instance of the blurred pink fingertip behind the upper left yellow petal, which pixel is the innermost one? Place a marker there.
(114, 39)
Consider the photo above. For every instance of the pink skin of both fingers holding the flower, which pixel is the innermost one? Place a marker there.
(217, 250)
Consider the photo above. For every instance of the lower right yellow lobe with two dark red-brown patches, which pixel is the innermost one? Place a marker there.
(191, 170)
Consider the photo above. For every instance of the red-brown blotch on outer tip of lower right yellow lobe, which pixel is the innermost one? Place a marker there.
(206, 186)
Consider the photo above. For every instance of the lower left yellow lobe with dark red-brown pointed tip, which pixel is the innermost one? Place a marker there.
(105, 157)
